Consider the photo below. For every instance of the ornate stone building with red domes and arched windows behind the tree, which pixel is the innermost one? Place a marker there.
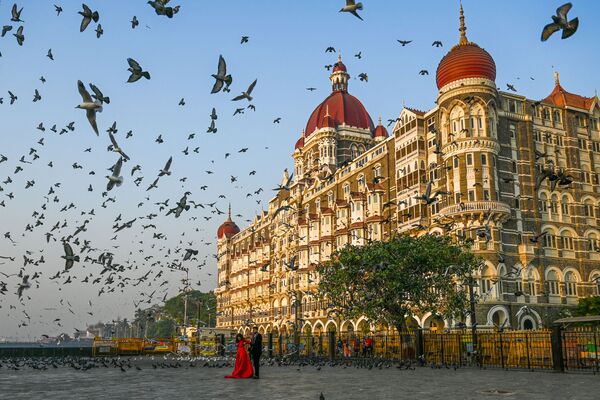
(485, 148)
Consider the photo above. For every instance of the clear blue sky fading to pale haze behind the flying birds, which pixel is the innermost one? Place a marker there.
(285, 52)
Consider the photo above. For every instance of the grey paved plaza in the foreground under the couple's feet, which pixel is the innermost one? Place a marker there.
(293, 382)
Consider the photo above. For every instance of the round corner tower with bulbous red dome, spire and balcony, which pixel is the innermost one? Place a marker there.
(466, 128)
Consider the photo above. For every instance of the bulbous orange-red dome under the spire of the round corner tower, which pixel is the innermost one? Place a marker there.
(465, 61)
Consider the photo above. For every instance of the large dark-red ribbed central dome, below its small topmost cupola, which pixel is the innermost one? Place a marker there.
(343, 108)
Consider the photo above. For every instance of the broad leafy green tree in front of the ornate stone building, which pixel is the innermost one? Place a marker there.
(388, 281)
